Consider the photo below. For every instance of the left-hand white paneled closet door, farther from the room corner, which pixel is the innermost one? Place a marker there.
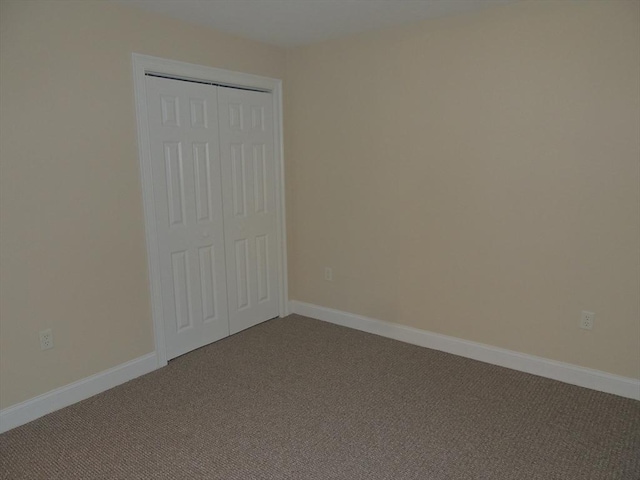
(183, 125)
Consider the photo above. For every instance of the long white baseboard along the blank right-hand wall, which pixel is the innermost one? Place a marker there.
(564, 372)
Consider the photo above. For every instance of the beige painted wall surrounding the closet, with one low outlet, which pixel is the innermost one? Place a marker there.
(72, 243)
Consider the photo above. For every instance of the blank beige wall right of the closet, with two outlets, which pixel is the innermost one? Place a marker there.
(476, 176)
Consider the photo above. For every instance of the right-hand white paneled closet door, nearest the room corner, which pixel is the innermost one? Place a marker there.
(249, 200)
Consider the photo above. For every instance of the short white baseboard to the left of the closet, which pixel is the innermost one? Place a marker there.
(36, 407)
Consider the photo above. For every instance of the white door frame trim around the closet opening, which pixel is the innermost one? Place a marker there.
(143, 64)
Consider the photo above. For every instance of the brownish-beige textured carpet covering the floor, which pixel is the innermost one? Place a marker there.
(297, 398)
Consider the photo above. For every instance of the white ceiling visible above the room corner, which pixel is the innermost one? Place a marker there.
(291, 23)
